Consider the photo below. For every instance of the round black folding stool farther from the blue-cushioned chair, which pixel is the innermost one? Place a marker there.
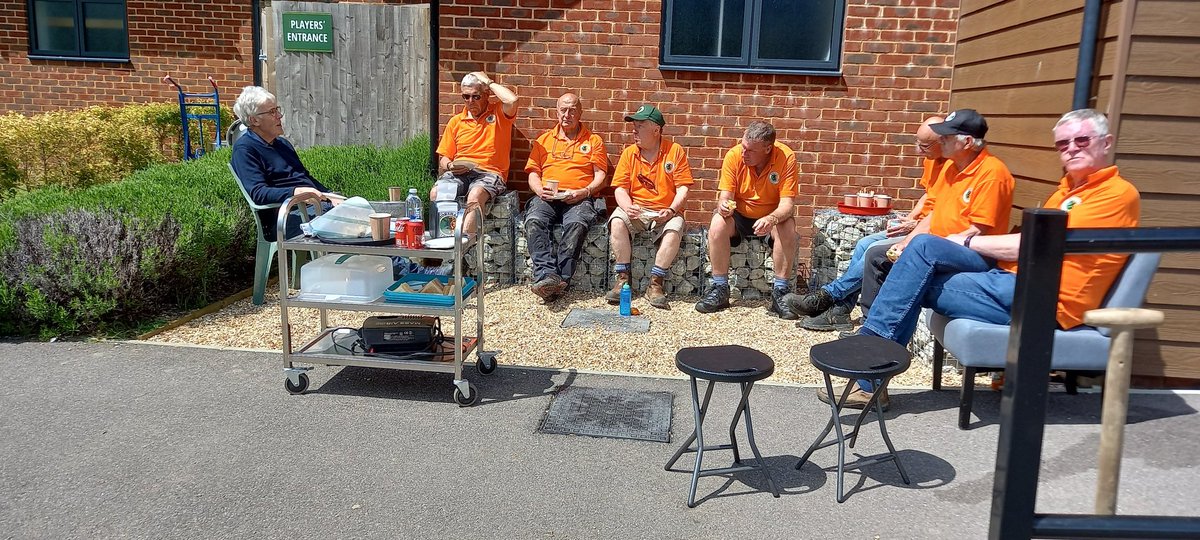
(725, 364)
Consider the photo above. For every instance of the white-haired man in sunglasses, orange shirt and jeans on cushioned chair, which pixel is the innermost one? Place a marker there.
(956, 275)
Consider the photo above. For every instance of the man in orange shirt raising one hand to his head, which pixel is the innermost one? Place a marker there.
(475, 149)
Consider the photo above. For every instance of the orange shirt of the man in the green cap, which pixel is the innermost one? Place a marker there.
(653, 185)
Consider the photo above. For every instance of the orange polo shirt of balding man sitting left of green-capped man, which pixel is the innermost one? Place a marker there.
(572, 163)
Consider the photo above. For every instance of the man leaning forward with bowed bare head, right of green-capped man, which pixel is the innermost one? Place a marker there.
(758, 188)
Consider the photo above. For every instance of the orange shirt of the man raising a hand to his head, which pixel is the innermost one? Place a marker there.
(487, 141)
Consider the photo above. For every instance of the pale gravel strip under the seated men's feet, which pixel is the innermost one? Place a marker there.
(529, 334)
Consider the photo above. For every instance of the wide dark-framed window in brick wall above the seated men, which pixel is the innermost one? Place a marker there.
(773, 37)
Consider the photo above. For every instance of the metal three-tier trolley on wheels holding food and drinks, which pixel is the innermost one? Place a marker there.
(297, 380)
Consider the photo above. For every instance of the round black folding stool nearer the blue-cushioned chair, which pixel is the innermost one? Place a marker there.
(857, 358)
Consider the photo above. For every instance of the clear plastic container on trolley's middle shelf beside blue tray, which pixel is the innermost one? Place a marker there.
(350, 278)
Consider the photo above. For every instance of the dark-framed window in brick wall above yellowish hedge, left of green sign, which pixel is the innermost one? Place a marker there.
(79, 29)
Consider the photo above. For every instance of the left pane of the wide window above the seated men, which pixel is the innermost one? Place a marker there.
(707, 28)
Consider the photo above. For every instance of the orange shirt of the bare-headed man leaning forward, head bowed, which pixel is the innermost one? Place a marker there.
(759, 195)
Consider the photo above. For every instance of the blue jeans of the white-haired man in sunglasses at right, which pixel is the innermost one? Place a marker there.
(943, 275)
